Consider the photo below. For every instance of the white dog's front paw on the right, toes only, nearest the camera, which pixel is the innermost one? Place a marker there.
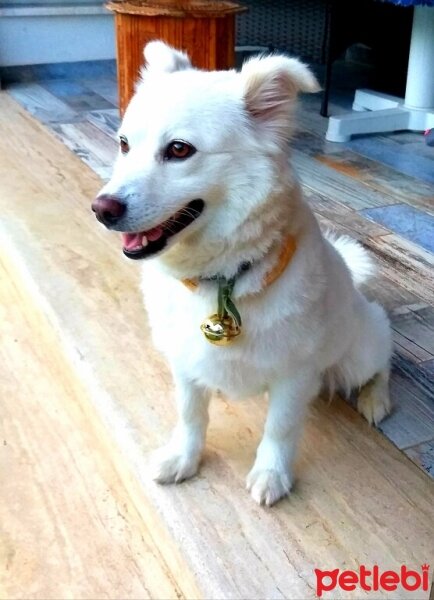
(267, 486)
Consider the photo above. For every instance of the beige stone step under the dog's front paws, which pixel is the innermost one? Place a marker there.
(357, 499)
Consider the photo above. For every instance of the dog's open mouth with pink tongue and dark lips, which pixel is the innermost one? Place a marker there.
(145, 243)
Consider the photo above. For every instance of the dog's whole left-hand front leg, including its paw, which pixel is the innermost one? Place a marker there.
(179, 458)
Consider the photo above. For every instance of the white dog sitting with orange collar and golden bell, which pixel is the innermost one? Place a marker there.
(203, 183)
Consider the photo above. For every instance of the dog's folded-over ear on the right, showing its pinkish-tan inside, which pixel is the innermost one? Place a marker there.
(270, 86)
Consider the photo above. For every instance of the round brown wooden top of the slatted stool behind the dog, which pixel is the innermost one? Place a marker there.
(176, 8)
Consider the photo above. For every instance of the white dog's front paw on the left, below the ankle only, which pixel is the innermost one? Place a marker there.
(172, 466)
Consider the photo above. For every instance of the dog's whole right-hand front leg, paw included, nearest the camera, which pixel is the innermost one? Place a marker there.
(271, 476)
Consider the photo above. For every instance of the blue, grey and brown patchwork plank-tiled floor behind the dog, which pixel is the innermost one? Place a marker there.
(379, 189)
